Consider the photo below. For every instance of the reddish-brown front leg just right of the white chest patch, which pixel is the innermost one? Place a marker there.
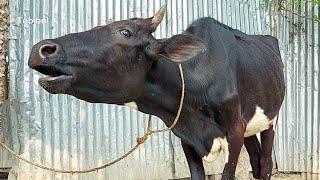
(235, 140)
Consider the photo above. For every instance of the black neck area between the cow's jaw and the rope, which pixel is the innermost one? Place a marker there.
(162, 91)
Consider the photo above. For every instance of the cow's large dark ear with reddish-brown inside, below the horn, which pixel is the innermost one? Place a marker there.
(182, 47)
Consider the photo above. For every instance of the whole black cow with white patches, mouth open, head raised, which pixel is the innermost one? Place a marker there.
(234, 83)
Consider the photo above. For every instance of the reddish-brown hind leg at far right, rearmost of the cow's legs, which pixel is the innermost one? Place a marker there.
(267, 137)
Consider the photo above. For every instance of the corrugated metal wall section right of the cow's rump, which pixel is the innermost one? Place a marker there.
(298, 136)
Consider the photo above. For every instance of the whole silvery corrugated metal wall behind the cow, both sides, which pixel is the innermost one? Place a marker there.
(64, 132)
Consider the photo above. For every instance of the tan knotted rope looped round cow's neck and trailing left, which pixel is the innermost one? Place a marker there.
(140, 140)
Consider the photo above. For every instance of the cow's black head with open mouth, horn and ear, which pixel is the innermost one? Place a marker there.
(108, 63)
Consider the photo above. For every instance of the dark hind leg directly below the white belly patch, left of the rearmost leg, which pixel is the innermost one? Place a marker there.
(252, 145)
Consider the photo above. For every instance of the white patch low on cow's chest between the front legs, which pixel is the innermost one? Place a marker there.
(218, 145)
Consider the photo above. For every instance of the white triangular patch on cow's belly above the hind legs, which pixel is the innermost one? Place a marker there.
(258, 123)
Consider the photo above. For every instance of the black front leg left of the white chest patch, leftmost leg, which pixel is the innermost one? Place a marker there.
(194, 162)
